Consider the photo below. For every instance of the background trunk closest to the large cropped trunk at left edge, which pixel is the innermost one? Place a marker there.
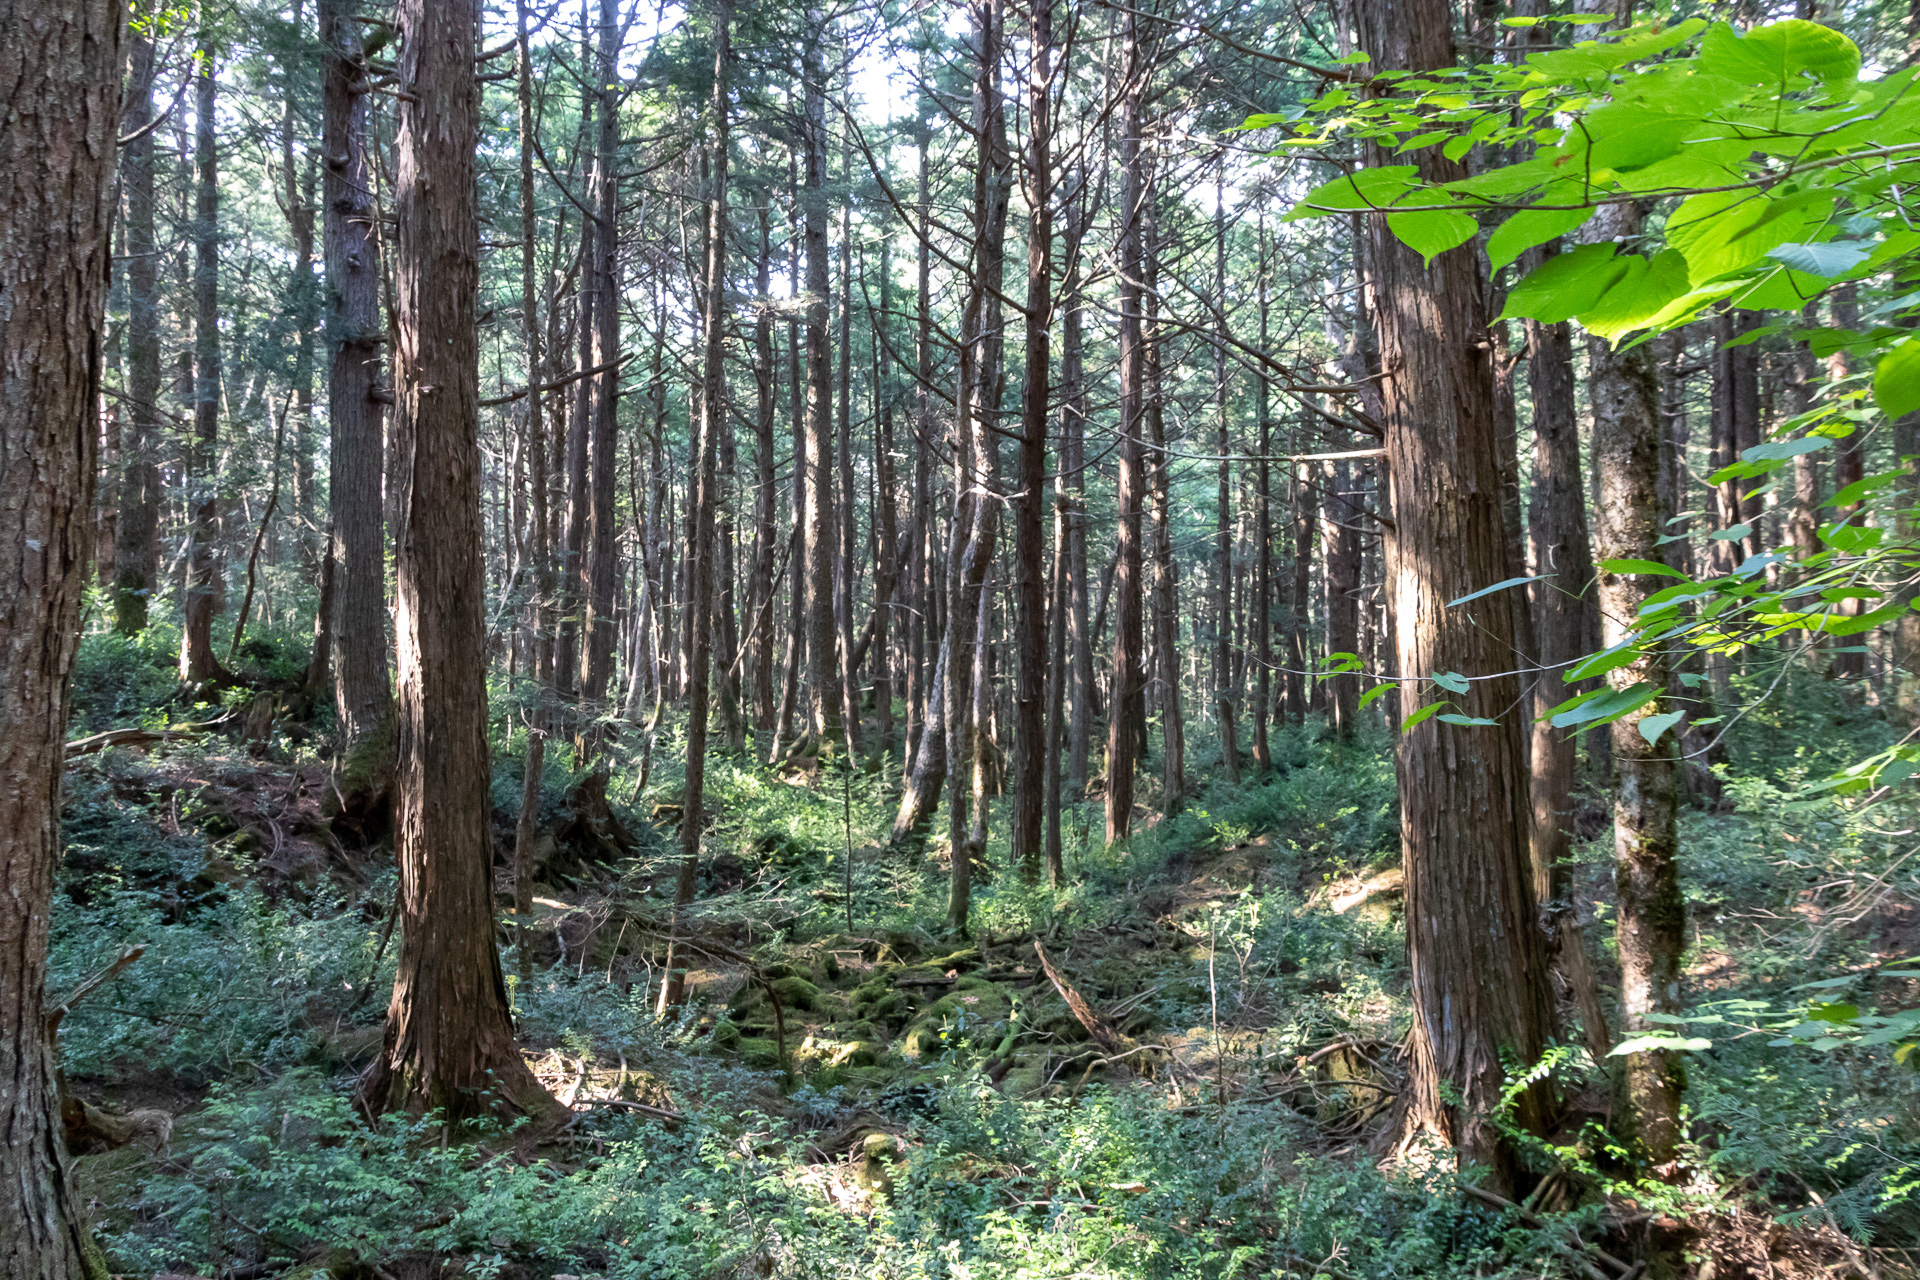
(137, 531)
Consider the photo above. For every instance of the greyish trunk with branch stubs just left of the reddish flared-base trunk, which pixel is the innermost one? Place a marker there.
(364, 698)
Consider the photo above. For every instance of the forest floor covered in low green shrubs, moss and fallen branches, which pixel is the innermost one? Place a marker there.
(1184, 1064)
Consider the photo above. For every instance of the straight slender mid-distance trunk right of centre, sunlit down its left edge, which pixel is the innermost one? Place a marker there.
(1130, 682)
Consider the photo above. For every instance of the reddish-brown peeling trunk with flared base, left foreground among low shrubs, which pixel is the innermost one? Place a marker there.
(448, 1031)
